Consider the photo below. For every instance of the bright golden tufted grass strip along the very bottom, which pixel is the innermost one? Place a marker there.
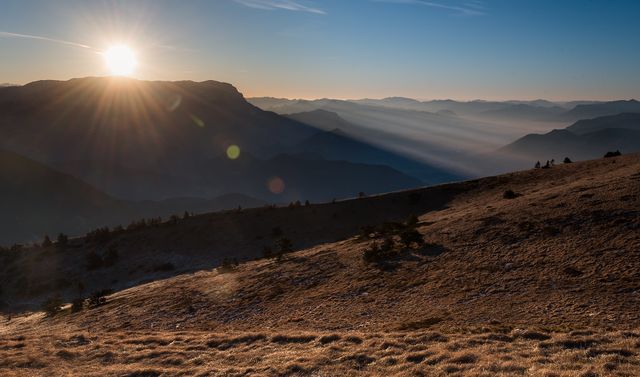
(472, 352)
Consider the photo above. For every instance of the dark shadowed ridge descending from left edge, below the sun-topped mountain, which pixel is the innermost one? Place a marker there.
(37, 200)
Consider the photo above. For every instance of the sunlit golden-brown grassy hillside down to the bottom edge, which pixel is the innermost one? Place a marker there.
(546, 283)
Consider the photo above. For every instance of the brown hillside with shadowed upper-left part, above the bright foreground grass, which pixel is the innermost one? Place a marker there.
(482, 248)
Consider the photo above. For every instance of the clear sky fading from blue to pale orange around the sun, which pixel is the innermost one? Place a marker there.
(466, 49)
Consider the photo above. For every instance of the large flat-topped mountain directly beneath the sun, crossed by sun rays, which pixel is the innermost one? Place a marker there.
(149, 127)
